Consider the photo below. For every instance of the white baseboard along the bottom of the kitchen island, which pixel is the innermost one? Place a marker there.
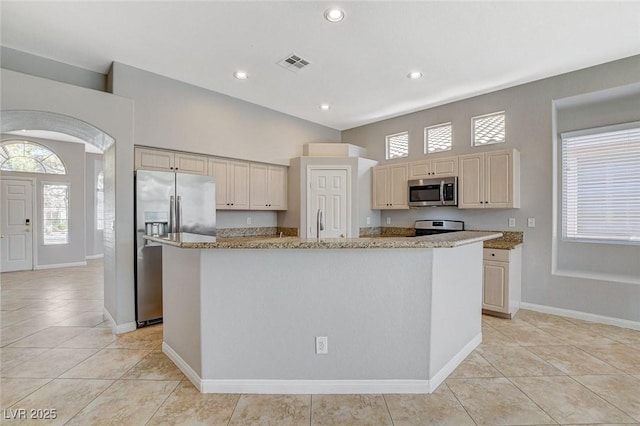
(320, 386)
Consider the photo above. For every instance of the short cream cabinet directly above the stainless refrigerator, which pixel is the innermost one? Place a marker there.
(170, 161)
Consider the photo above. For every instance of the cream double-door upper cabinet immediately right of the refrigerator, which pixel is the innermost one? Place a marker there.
(232, 183)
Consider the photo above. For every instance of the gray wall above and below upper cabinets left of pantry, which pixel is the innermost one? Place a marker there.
(175, 115)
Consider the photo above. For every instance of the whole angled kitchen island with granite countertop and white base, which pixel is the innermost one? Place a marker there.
(400, 314)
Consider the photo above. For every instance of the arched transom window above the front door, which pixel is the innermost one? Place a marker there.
(29, 157)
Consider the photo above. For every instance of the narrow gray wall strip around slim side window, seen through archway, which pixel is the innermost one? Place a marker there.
(94, 243)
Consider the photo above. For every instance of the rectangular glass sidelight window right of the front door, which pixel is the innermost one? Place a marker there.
(55, 213)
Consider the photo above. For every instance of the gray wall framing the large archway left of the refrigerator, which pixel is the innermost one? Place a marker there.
(114, 116)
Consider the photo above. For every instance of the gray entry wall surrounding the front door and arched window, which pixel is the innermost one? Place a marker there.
(72, 155)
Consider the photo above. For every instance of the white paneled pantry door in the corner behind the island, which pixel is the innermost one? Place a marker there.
(328, 193)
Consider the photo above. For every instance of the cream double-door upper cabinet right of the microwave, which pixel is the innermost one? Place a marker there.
(489, 180)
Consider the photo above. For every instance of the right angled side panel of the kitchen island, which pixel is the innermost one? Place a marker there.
(456, 319)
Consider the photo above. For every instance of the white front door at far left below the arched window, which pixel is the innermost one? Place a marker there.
(16, 225)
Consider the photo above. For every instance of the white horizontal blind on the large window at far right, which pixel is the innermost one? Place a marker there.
(601, 185)
